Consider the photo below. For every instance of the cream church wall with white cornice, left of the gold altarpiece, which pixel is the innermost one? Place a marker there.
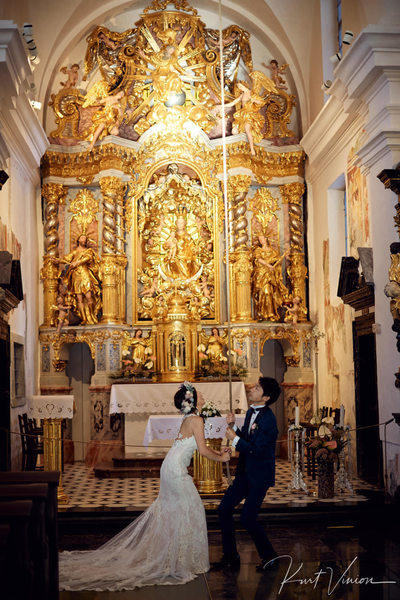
(24, 141)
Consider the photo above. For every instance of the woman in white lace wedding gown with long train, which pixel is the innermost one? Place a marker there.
(167, 543)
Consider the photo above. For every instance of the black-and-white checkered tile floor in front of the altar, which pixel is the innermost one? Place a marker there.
(85, 491)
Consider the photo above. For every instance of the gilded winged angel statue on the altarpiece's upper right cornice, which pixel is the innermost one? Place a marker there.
(248, 118)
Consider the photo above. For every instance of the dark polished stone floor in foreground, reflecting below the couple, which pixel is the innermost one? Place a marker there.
(352, 562)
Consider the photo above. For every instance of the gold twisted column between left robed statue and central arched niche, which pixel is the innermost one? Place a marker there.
(113, 253)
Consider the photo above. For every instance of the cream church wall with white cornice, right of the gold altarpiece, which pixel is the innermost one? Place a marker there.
(359, 129)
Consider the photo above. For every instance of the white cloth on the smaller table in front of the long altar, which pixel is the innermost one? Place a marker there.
(166, 427)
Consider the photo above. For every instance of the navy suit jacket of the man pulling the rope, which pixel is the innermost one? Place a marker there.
(257, 448)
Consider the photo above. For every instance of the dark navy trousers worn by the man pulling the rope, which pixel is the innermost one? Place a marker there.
(242, 488)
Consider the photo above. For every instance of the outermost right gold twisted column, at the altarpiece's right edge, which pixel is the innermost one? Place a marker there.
(292, 194)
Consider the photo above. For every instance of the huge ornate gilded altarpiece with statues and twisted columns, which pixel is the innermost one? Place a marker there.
(137, 263)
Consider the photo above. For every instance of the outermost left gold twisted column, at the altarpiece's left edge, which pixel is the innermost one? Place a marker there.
(54, 195)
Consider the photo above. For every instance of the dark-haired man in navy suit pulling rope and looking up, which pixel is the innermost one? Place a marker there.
(254, 475)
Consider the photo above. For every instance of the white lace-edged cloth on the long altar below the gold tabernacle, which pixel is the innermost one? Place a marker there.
(158, 398)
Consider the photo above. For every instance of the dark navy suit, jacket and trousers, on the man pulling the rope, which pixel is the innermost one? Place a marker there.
(254, 475)
